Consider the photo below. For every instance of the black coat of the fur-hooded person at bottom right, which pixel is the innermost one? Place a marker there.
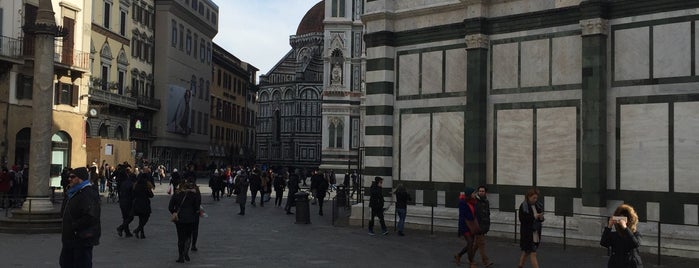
(624, 245)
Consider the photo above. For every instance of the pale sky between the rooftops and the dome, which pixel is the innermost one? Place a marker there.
(257, 31)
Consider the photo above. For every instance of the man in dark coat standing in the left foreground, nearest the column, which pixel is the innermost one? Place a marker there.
(81, 221)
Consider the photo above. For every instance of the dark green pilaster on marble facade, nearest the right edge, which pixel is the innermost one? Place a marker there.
(594, 103)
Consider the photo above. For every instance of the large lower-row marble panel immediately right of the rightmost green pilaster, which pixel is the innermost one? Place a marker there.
(644, 147)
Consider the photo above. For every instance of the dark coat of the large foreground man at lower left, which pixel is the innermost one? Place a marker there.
(81, 217)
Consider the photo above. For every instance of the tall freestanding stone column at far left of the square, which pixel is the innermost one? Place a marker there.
(42, 108)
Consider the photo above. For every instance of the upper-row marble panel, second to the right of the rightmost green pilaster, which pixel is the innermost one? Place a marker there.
(672, 50)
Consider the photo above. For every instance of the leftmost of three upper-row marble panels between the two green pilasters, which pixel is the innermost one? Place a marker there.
(505, 58)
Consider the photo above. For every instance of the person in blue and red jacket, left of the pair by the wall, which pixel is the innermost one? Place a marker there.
(468, 226)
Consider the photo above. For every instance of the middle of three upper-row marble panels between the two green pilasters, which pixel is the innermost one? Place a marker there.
(535, 63)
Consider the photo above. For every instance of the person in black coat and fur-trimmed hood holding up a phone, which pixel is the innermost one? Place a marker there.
(625, 240)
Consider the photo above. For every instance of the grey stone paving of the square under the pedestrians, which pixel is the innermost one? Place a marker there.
(266, 237)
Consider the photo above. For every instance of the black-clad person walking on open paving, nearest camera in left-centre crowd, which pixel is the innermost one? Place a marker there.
(184, 204)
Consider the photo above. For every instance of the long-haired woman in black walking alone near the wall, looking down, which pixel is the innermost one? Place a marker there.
(531, 215)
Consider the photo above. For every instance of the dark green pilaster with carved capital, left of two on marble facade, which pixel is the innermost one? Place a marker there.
(476, 103)
